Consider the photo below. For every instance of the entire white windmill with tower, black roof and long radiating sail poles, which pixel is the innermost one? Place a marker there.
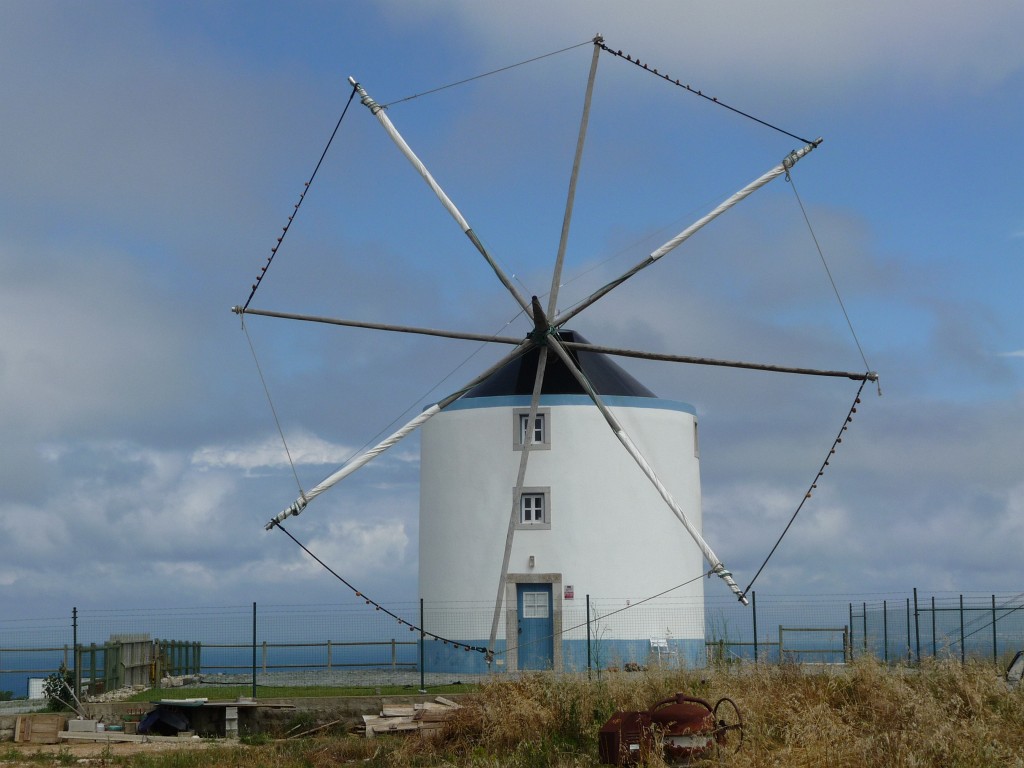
(532, 474)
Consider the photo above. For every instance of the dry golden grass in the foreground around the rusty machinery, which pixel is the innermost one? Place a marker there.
(866, 714)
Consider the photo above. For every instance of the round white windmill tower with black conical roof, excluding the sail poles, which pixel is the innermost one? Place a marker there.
(584, 517)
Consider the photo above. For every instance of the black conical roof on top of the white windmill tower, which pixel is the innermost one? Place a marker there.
(519, 376)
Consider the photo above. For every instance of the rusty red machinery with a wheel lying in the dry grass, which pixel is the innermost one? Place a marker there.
(686, 728)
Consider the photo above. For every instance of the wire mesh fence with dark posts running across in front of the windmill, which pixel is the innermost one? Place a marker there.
(416, 646)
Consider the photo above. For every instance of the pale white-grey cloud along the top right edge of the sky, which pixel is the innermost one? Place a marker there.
(942, 46)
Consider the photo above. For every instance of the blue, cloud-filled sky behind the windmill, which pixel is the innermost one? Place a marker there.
(152, 153)
